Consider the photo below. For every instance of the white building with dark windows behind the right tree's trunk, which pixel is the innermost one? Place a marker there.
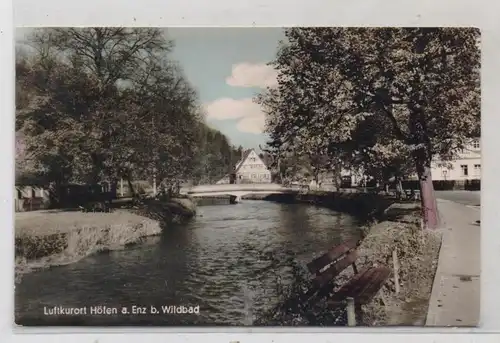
(467, 166)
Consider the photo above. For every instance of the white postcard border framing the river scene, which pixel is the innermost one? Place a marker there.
(482, 14)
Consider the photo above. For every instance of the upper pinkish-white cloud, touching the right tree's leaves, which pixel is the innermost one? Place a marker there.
(252, 75)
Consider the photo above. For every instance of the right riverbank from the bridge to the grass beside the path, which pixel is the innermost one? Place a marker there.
(392, 227)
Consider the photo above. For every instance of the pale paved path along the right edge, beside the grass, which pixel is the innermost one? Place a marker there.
(455, 298)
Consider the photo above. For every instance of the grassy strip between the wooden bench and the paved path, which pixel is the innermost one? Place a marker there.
(417, 253)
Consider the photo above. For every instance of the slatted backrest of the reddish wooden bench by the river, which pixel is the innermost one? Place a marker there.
(332, 263)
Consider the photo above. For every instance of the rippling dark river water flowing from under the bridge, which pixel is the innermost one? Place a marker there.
(227, 261)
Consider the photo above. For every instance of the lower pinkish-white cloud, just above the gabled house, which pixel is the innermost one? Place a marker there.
(250, 117)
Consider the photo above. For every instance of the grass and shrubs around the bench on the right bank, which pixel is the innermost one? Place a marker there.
(417, 254)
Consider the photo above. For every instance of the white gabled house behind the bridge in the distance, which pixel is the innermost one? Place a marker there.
(250, 169)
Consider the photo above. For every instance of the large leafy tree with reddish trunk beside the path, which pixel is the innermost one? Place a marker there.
(377, 97)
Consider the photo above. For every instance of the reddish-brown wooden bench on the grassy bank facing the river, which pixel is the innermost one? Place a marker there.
(358, 291)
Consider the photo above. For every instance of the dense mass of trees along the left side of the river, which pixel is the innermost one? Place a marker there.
(99, 104)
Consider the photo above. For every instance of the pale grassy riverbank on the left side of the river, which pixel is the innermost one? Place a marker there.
(58, 237)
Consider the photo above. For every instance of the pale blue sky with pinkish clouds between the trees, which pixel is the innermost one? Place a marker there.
(227, 67)
